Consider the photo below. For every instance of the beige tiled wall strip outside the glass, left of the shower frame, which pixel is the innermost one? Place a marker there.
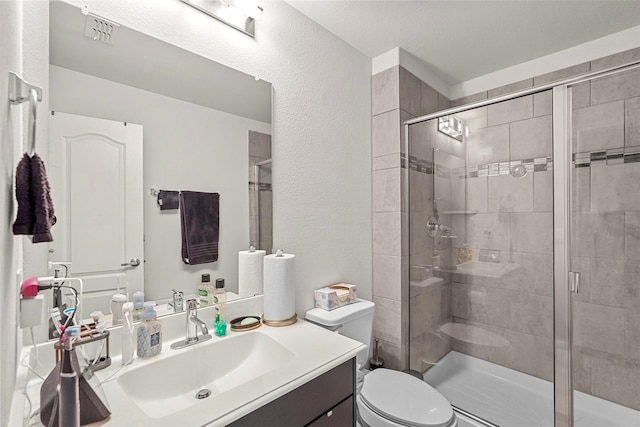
(397, 95)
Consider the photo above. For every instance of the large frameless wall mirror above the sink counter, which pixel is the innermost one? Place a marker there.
(204, 127)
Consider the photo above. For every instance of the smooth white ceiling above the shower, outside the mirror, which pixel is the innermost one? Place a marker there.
(462, 40)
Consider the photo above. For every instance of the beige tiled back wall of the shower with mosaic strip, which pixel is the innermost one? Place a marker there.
(510, 316)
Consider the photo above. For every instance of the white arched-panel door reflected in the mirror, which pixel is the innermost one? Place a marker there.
(96, 186)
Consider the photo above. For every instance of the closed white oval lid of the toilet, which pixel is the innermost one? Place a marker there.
(405, 399)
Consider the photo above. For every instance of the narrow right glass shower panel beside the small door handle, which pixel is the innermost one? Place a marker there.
(605, 248)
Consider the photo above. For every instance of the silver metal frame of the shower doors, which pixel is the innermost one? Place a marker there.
(563, 279)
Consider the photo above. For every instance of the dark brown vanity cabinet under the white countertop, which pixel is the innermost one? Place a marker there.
(328, 400)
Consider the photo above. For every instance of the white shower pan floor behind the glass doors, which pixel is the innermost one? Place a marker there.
(509, 398)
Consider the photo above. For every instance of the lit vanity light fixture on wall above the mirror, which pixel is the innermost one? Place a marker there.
(239, 14)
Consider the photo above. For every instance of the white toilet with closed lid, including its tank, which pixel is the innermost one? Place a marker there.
(385, 397)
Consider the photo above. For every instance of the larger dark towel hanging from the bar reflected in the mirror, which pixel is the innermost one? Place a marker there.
(200, 221)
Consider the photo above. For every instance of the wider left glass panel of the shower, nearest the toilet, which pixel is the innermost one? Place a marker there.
(481, 260)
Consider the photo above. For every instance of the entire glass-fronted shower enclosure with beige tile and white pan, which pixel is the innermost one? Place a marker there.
(524, 236)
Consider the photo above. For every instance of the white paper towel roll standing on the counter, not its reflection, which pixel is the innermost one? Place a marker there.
(279, 287)
